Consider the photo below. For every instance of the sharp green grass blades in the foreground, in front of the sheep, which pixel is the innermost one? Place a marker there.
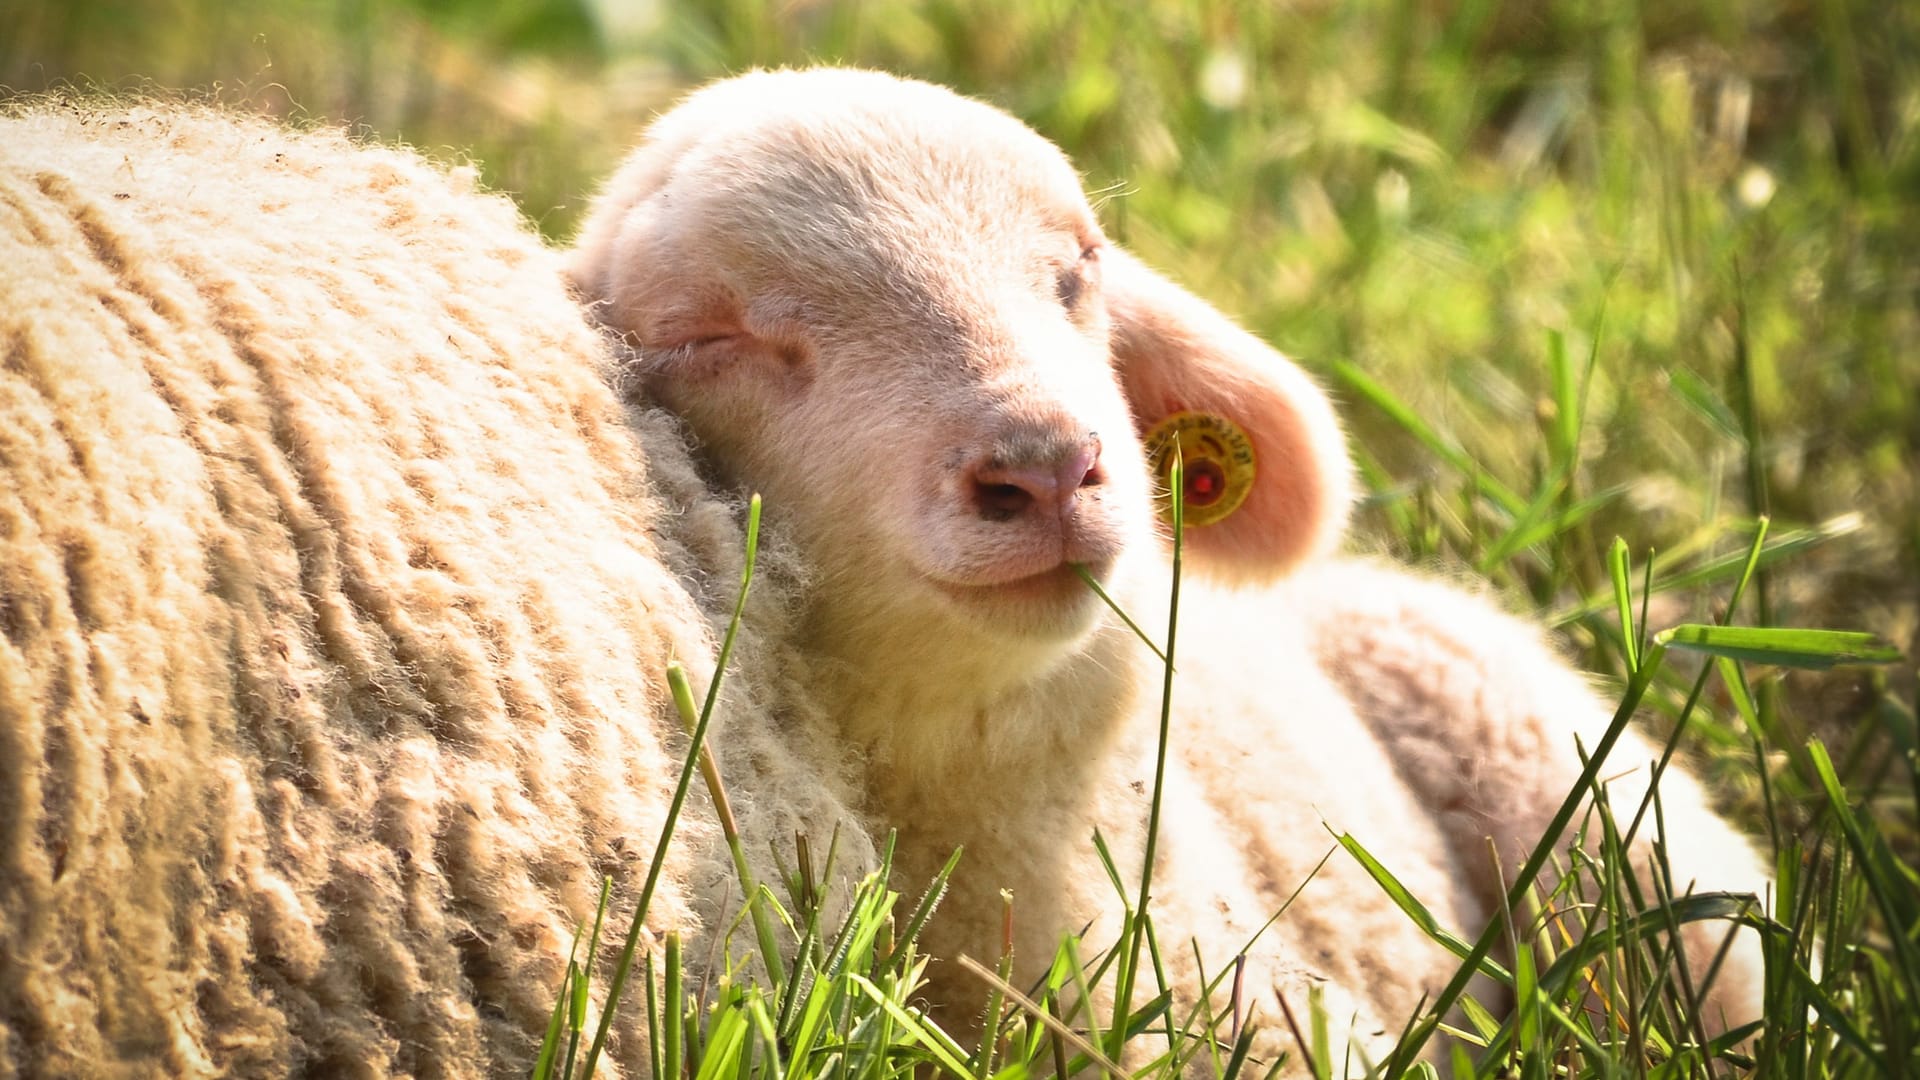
(1595, 981)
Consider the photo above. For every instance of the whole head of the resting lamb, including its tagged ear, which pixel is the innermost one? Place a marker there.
(894, 312)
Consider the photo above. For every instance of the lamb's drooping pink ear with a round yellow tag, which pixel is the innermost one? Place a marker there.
(1268, 478)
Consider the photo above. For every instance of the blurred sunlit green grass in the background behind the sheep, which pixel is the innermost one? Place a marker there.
(1451, 203)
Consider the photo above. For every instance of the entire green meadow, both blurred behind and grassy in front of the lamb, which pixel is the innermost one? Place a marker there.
(1577, 270)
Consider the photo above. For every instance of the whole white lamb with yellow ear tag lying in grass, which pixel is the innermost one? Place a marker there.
(892, 312)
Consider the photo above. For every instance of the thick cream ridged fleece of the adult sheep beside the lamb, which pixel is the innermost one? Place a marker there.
(335, 602)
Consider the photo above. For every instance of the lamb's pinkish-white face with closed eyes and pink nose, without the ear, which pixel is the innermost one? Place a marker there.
(898, 335)
